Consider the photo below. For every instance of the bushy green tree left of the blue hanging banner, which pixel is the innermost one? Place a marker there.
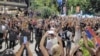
(45, 7)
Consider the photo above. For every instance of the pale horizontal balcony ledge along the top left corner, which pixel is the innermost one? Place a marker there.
(18, 3)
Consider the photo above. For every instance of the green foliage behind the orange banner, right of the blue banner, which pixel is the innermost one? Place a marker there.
(85, 5)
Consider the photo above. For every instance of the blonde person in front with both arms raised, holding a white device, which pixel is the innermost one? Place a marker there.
(52, 40)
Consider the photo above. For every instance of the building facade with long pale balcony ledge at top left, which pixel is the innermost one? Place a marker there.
(10, 6)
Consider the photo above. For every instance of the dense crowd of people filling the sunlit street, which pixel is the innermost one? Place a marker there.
(55, 36)
